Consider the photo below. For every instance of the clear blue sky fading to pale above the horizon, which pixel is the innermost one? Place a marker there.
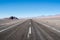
(29, 8)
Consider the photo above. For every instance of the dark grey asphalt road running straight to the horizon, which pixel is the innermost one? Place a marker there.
(28, 30)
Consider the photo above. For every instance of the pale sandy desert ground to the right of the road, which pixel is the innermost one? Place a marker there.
(51, 21)
